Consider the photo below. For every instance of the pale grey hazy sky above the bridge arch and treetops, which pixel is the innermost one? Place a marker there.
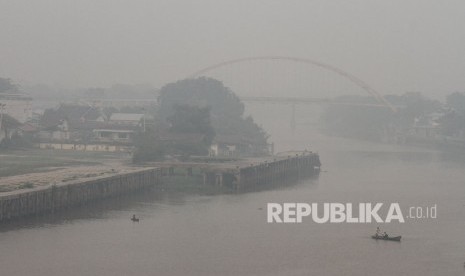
(394, 45)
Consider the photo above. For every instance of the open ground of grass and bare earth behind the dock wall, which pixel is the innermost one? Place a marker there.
(32, 168)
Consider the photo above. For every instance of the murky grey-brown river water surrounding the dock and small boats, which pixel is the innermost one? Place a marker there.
(197, 234)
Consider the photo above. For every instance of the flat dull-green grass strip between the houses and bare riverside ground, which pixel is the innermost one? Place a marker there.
(17, 162)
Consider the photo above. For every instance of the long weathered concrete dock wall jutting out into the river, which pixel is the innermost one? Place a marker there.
(238, 175)
